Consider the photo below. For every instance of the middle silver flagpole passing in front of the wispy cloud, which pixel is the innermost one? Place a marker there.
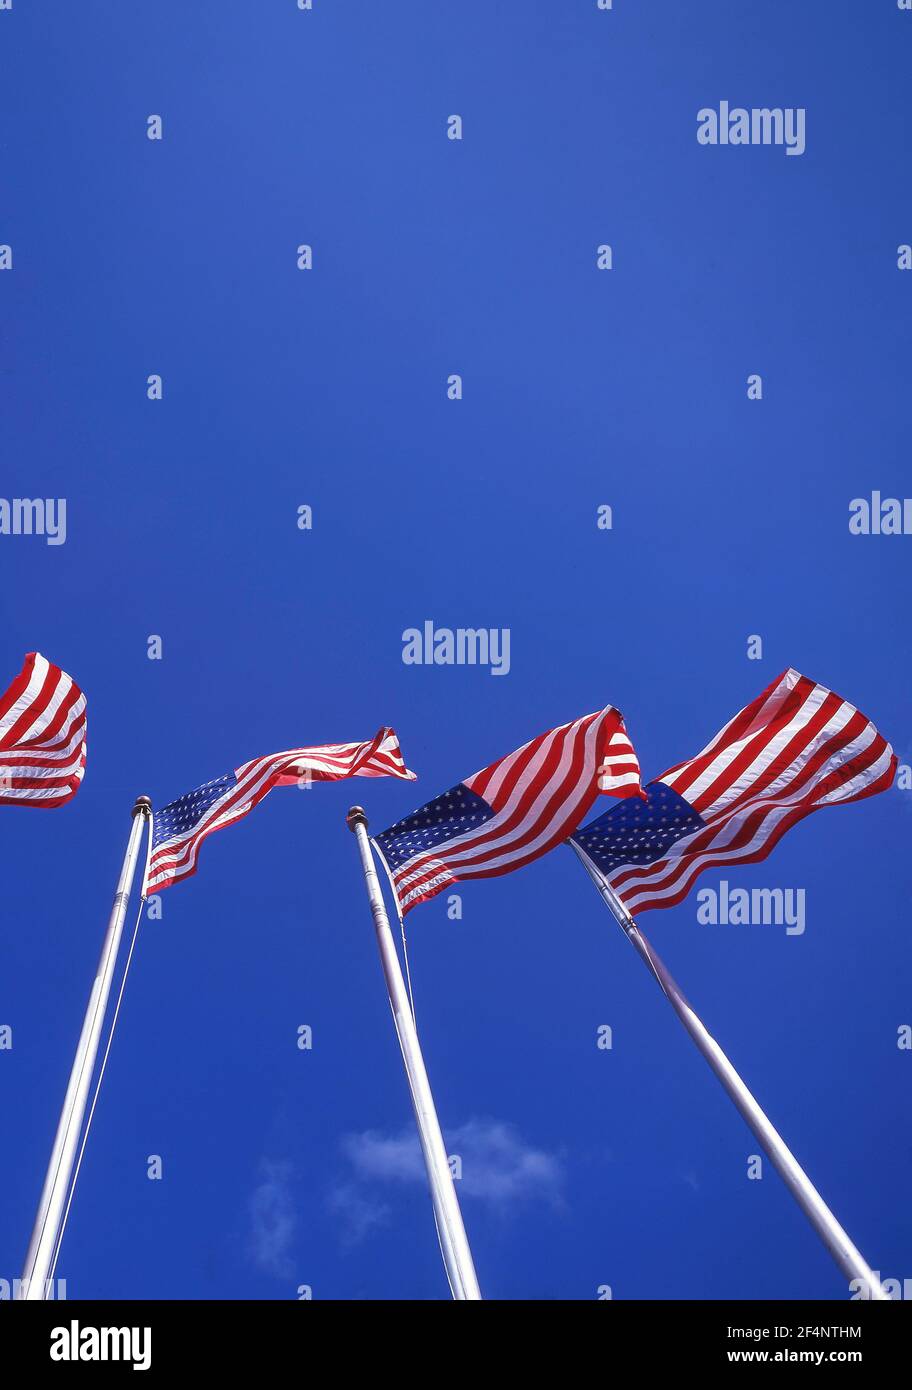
(461, 1270)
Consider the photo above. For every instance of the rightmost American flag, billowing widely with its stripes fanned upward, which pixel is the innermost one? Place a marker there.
(795, 750)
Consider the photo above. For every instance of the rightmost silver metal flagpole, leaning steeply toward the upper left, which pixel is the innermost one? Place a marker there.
(828, 1228)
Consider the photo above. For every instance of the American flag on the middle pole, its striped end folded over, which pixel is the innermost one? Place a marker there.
(514, 811)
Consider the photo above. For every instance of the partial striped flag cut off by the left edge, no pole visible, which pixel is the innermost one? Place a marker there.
(42, 737)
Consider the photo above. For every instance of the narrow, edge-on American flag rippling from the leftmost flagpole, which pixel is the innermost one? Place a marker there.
(181, 828)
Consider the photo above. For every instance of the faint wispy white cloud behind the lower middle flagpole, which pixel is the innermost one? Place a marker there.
(496, 1167)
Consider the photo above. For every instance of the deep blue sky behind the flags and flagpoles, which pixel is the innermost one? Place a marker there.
(282, 389)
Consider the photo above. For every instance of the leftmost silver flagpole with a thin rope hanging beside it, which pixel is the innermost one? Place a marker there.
(51, 1210)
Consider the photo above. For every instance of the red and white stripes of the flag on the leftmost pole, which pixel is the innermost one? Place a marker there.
(380, 757)
